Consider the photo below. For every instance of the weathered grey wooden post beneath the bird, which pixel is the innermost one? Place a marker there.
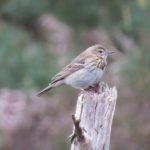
(93, 119)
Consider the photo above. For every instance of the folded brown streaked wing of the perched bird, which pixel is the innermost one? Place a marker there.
(75, 65)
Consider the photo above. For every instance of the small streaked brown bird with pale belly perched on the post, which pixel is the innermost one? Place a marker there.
(84, 71)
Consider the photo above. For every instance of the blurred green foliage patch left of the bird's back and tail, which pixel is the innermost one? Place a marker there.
(24, 63)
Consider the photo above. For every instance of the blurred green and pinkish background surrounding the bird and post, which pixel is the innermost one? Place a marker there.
(37, 38)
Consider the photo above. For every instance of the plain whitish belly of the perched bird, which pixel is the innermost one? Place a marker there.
(84, 78)
